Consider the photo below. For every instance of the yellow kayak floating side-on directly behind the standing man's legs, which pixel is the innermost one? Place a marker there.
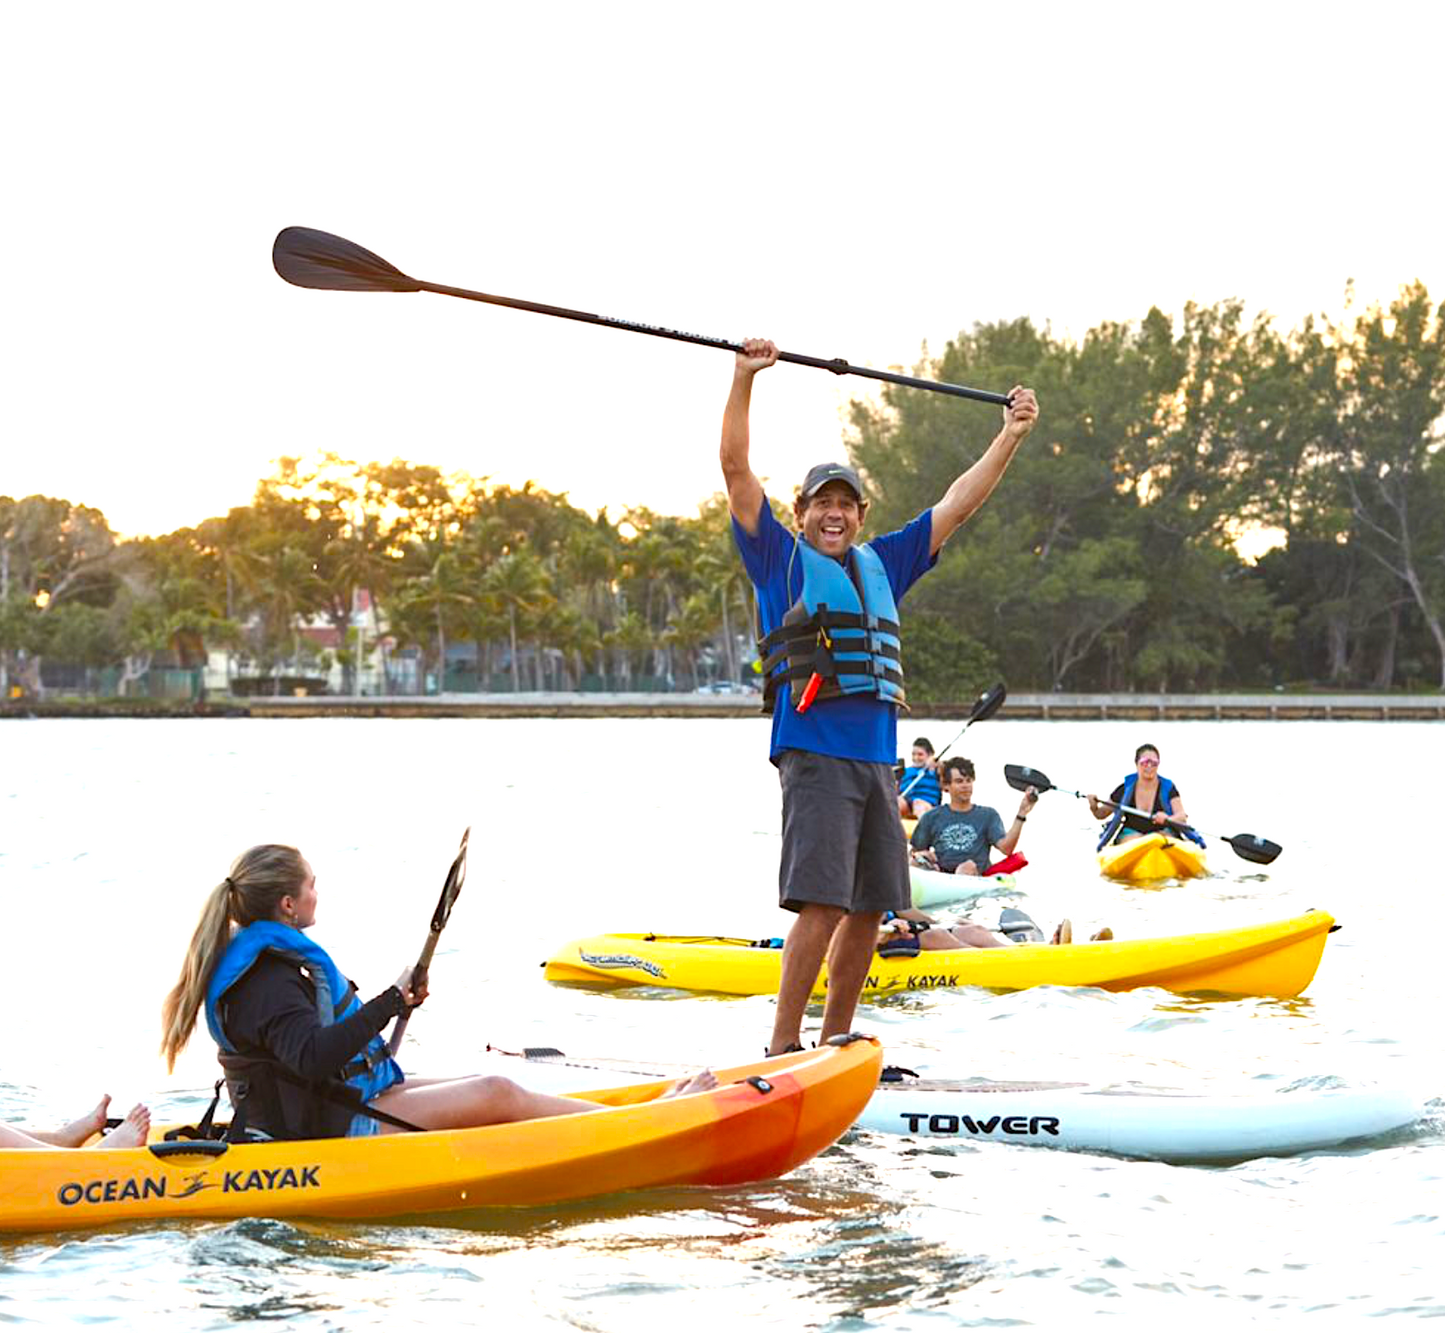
(1275, 959)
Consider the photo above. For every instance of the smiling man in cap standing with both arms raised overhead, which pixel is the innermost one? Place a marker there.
(834, 680)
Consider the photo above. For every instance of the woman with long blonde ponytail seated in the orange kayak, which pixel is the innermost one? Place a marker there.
(301, 1055)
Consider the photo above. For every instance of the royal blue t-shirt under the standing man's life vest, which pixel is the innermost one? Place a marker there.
(856, 726)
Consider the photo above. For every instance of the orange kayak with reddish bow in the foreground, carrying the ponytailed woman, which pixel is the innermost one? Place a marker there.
(764, 1120)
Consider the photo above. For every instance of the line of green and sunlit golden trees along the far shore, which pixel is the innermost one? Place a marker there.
(1106, 560)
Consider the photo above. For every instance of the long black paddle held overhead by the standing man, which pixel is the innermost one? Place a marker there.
(319, 260)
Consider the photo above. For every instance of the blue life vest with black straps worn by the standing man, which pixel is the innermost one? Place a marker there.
(845, 627)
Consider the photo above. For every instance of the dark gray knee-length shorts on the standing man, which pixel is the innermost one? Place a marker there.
(843, 839)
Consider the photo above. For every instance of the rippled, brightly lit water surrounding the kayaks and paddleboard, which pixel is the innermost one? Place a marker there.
(112, 832)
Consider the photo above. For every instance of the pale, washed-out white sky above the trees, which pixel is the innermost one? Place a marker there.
(850, 180)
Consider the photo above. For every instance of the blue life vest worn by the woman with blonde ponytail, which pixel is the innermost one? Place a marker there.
(374, 1071)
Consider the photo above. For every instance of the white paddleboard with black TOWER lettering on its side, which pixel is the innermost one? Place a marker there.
(1155, 1124)
